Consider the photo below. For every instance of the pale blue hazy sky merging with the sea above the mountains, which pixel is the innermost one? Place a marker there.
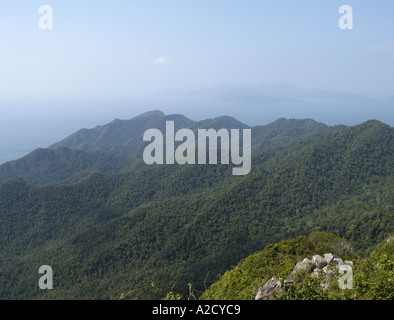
(105, 59)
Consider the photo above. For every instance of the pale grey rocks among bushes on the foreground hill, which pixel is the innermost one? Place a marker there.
(325, 267)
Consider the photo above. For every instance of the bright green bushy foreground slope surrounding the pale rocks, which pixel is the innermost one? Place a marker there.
(372, 277)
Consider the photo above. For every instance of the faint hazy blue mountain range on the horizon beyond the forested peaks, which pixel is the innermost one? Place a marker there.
(251, 102)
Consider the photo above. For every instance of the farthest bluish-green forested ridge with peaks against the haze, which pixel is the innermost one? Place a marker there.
(124, 137)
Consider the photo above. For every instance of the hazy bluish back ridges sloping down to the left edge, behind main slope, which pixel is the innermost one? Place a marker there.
(115, 146)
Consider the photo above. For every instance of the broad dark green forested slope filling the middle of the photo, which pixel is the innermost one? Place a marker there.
(110, 234)
